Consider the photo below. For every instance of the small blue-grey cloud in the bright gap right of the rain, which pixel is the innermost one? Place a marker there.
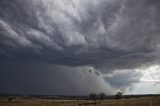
(121, 79)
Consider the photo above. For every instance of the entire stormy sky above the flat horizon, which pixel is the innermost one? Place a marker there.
(78, 47)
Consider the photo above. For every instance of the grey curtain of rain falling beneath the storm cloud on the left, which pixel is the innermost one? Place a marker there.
(40, 78)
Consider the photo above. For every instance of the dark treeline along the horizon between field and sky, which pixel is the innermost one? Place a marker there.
(91, 96)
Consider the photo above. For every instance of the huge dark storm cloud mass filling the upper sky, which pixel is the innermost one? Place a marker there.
(119, 34)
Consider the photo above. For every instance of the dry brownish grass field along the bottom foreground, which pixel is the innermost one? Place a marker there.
(144, 101)
